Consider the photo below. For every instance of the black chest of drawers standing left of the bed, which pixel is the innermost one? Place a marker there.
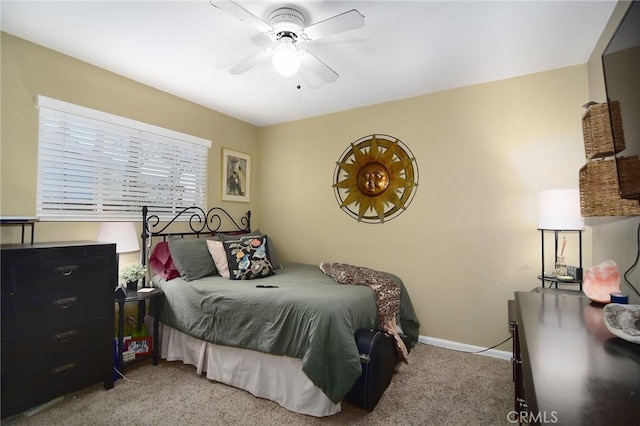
(57, 320)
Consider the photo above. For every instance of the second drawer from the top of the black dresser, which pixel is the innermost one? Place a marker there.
(54, 310)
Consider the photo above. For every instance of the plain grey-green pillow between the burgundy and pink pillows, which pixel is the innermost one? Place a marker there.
(191, 257)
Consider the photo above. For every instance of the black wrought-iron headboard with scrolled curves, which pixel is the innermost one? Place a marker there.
(200, 222)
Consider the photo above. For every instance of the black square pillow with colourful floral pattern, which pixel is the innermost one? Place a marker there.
(248, 258)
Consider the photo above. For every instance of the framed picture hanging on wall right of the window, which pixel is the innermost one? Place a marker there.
(236, 176)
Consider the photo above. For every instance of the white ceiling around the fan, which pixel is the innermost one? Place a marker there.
(406, 48)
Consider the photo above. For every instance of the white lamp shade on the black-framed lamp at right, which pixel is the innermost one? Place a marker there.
(559, 209)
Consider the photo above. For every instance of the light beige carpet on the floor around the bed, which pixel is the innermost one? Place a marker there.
(438, 387)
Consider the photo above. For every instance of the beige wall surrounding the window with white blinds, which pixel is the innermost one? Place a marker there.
(29, 70)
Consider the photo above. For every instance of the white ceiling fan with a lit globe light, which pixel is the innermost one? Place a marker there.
(286, 27)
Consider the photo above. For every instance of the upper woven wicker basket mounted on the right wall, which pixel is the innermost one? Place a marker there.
(596, 129)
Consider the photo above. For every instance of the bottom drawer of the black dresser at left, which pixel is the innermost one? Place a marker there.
(25, 388)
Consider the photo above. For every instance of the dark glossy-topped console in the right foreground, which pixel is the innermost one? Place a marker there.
(568, 368)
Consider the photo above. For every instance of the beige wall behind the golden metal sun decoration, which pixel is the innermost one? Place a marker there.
(469, 239)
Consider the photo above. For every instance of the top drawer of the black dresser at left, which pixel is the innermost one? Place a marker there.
(22, 276)
